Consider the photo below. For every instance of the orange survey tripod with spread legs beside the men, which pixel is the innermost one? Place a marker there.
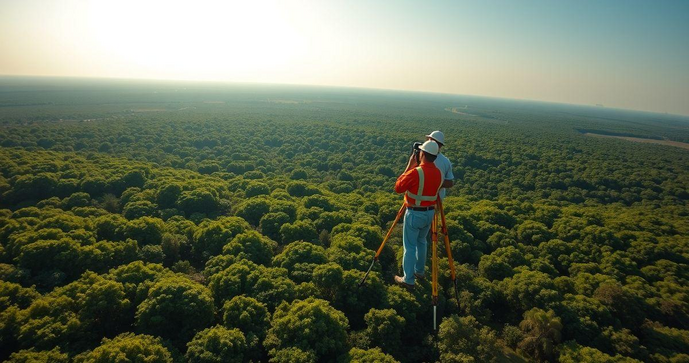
(434, 258)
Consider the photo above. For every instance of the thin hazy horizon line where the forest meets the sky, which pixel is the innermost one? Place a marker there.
(397, 90)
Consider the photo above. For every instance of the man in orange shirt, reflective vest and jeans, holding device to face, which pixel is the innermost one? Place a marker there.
(420, 183)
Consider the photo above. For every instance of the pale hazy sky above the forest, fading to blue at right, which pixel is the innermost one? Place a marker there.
(626, 54)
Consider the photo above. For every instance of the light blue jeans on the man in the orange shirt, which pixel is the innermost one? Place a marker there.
(415, 240)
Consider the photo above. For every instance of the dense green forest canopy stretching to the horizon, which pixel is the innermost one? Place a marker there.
(184, 222)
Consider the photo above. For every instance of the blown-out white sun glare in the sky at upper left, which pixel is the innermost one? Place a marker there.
(240, 38)
